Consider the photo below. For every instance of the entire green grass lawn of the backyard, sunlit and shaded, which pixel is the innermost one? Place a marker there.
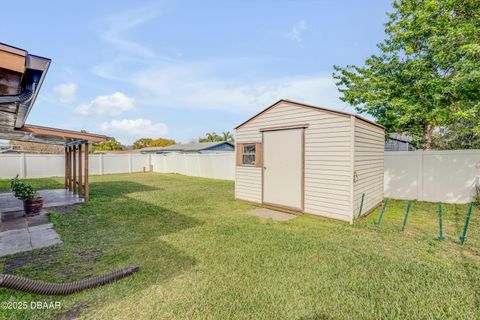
(202, 257)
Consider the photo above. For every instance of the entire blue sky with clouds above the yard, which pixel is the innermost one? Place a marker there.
(178, 69)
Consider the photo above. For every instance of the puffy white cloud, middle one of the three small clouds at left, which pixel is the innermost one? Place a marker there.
(109, 105)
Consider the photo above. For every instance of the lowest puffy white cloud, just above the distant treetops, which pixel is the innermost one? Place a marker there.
(128, 130)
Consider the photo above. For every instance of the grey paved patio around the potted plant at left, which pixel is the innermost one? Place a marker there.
(20, 233)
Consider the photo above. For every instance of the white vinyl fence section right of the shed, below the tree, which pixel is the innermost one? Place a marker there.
(446, 176)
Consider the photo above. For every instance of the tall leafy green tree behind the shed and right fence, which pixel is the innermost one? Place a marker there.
(427, 73)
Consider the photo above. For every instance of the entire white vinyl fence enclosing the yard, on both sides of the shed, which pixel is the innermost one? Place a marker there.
(446, 176)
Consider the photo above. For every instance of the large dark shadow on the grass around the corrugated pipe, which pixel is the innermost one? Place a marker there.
(110, 232)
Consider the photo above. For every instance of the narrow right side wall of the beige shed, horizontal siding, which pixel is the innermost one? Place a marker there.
(369, 149)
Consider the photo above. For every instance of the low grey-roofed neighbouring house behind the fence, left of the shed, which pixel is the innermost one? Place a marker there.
(195, 147)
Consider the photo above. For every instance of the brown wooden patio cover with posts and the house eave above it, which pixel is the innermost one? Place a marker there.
(21, 76)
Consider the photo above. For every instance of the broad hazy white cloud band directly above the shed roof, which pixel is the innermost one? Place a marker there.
(193, 87)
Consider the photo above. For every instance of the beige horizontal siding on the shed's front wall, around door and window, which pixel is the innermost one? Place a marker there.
(327, 158)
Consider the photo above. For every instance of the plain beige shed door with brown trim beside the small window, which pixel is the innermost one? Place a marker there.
(283, 168)
